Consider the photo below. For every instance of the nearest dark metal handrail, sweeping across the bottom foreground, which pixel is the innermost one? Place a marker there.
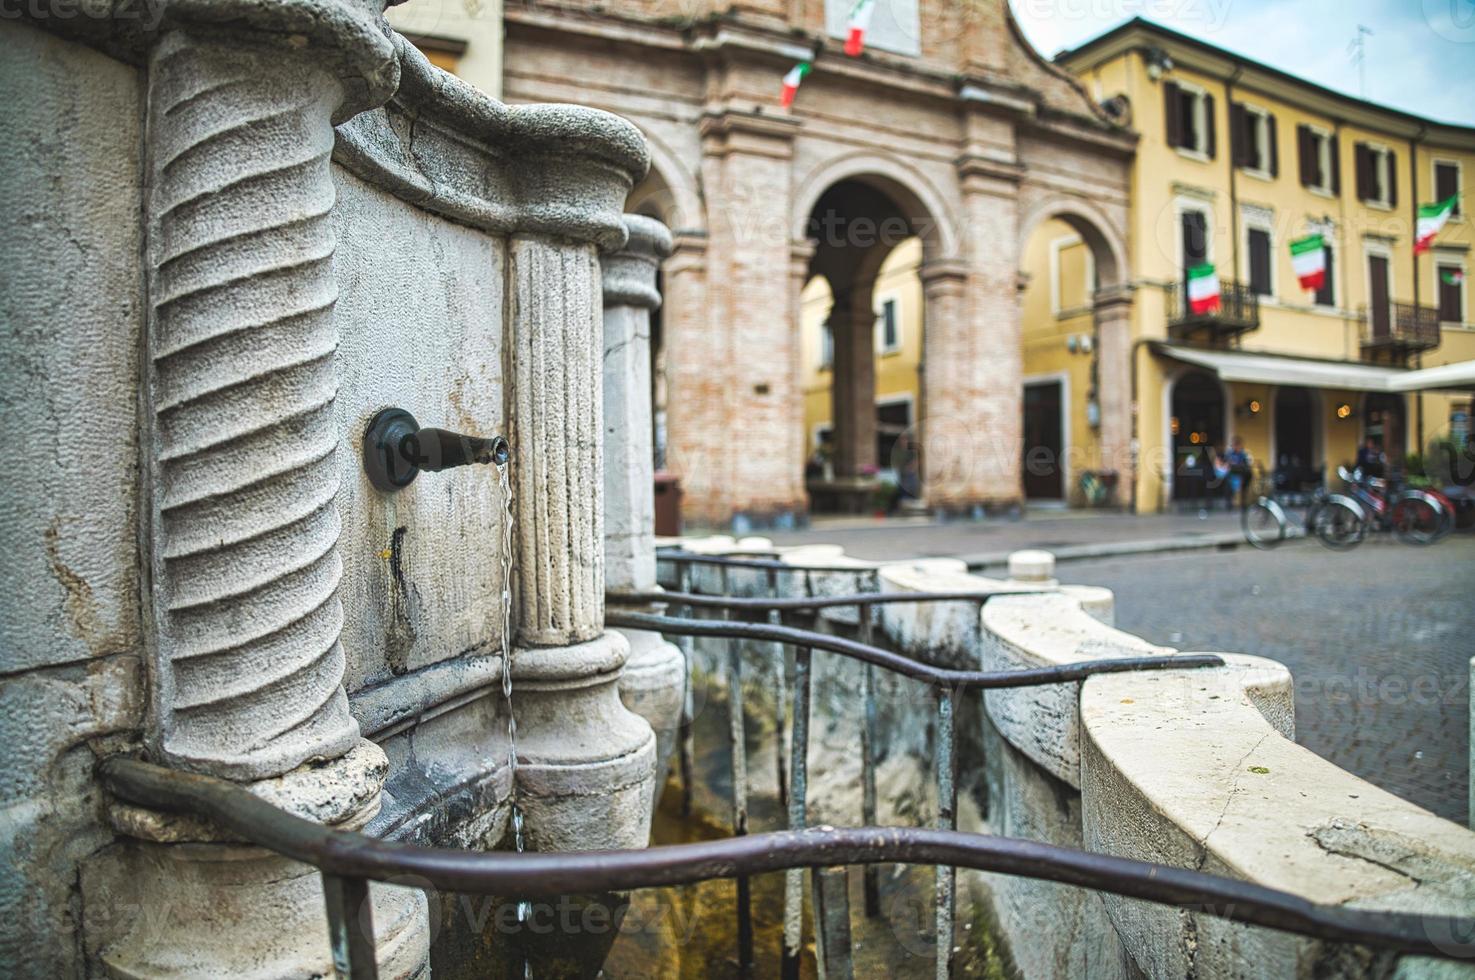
(349, 855)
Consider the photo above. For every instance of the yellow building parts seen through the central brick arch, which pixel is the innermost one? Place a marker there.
(898, 305)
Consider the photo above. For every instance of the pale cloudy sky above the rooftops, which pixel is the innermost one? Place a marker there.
(1421, 54)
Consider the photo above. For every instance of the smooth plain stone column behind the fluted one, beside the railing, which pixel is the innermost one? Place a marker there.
(656, 675)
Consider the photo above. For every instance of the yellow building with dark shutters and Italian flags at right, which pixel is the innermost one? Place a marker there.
(1238, 160)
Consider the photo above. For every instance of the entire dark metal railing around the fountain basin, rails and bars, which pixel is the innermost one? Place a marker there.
(349, 860)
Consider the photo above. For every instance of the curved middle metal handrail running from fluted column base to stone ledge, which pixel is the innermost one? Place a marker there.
(905, 666)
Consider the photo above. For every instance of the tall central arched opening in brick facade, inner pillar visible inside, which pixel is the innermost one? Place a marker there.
(862, 321)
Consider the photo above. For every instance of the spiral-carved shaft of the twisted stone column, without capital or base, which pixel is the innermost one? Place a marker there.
(243, 342)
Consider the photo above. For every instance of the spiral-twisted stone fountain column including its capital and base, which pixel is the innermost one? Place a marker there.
(243, 522)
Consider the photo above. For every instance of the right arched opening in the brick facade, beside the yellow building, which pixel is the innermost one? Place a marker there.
(1077, 373)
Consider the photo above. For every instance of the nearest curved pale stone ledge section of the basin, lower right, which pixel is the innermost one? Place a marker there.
(1197, 770)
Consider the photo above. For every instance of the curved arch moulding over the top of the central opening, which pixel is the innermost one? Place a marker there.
(895, 178)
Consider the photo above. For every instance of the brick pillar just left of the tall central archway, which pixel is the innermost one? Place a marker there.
(760, 441)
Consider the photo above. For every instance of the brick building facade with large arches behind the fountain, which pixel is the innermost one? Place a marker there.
(951, 129)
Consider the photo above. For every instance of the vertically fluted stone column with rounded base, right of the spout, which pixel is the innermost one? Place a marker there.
(586, 764)
